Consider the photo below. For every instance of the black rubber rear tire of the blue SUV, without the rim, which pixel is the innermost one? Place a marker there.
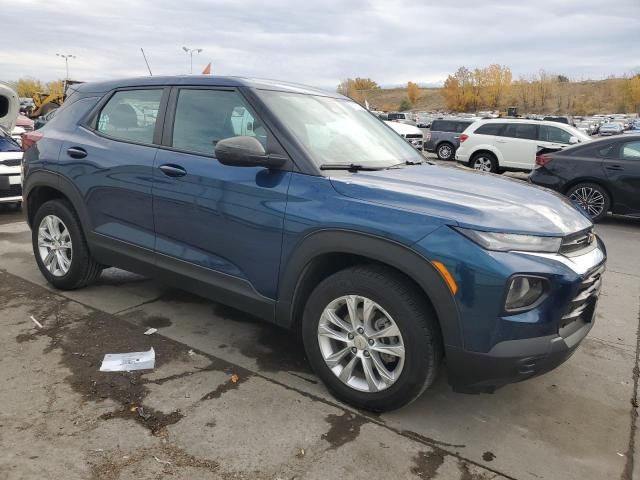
(83, 269)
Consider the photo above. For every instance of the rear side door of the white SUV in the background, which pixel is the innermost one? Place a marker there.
(518, 144)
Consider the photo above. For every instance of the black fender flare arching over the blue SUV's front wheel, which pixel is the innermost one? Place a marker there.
(379, 249)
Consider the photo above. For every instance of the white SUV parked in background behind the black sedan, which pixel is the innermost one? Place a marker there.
(510, 144)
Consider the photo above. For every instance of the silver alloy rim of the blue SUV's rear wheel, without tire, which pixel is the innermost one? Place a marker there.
(54, 245)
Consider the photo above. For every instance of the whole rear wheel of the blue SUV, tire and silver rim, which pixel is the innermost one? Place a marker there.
(60, 247)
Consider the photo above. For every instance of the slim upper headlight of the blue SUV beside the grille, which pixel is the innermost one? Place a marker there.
(504, 242)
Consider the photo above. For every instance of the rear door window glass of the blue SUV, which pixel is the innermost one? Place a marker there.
(131, 115)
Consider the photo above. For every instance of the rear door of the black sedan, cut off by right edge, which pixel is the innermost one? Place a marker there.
(623, 172)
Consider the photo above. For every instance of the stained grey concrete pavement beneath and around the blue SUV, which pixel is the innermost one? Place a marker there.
(231, 397)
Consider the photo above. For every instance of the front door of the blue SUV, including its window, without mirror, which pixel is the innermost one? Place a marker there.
(217, 223)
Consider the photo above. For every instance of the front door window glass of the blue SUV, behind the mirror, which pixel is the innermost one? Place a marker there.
(204, 117)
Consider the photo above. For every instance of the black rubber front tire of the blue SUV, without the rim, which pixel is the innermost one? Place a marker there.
(411, 312)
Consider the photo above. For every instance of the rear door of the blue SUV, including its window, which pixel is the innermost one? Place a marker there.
(110, 160)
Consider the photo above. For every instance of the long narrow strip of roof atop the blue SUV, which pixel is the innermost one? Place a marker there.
(201, 80)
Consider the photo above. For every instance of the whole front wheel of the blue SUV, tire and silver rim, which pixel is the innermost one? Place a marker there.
(371, 337)
